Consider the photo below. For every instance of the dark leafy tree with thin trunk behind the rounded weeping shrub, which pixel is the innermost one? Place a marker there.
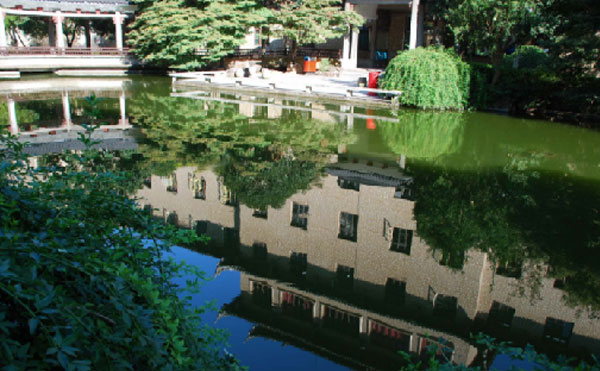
(492, 26)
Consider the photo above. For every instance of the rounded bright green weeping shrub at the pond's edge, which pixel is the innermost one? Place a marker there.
(429, 78)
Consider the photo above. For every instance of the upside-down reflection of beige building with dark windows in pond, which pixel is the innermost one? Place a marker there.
(340, 270)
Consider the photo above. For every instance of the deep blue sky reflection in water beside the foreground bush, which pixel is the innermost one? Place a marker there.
(256, 353)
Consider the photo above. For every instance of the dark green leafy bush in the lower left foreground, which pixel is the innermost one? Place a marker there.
(85, 282)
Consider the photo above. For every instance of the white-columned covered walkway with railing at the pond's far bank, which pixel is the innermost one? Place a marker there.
(57, 53)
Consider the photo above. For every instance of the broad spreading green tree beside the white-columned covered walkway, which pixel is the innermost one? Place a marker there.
(187, 35)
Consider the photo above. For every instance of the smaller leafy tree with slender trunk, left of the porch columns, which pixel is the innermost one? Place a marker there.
(310, 21)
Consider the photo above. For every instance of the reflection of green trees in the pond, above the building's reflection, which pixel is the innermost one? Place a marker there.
(262, 161)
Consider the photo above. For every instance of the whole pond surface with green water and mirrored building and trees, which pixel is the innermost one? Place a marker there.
(341, 235)
